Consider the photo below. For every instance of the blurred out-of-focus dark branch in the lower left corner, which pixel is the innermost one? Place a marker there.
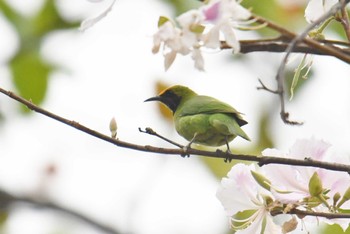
(7, 200)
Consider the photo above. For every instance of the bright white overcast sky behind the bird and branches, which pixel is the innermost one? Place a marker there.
(110, 71)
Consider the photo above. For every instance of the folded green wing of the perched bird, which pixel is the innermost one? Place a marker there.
(208, 105)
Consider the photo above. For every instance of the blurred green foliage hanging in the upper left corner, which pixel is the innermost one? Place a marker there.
(29, 69)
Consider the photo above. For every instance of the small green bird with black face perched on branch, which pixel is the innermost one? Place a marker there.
(202, 119)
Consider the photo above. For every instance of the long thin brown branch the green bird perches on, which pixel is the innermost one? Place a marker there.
(182, 151)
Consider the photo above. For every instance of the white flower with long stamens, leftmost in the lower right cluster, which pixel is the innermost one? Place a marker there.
(241, 196)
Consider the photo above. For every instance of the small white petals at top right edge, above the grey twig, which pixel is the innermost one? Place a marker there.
(316, 8)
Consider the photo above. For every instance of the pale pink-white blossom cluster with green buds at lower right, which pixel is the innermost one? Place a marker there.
(252, 196)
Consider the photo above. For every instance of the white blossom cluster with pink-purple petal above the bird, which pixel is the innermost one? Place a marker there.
(200, 28)
